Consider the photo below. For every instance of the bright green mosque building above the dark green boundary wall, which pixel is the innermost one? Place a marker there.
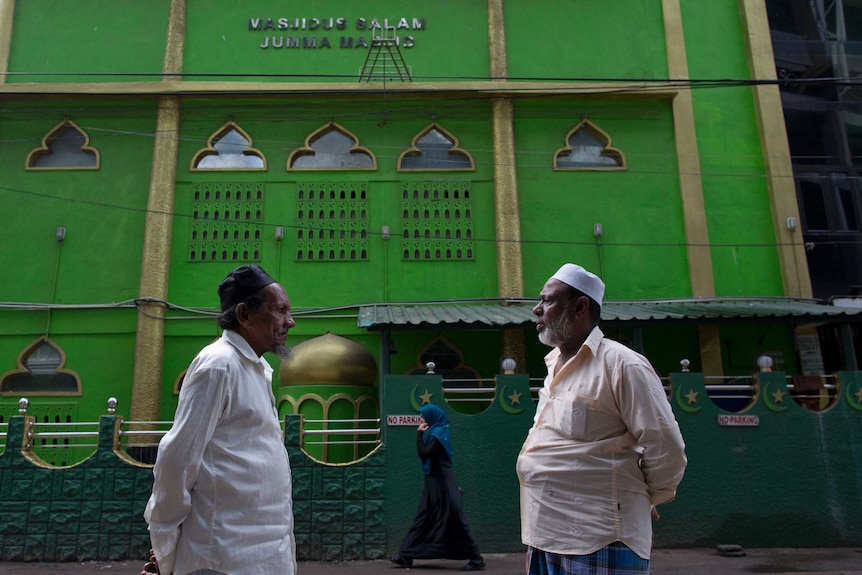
(411, 172)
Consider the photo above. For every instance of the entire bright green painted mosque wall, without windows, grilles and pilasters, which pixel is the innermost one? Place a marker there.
(641, 255)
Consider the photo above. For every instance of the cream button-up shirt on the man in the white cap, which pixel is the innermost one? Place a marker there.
(604, 448)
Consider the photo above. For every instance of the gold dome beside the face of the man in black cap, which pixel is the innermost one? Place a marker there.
(329, 360)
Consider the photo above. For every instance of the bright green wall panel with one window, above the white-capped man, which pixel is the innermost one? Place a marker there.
(642, 251)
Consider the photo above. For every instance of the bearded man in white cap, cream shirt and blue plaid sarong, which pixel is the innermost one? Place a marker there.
(604, 448)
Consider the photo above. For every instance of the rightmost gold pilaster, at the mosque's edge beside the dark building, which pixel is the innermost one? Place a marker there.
(776, 150)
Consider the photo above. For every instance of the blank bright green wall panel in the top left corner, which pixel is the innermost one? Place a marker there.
(62, 41)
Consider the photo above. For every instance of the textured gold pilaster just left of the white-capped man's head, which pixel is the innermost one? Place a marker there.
(507, 217)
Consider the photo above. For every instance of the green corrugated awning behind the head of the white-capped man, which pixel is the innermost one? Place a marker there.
(518, 313)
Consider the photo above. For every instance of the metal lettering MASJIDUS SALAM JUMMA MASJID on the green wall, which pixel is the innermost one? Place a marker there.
(326, 24)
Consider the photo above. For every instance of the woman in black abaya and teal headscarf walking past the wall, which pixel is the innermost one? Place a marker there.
(439, 529)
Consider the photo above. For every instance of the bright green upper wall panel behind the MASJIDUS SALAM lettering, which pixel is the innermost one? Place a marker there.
(219, 41)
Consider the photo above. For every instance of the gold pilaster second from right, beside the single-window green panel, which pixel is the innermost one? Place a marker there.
(691, 186)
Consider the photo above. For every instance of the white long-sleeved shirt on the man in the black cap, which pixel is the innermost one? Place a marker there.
(222, 487)
